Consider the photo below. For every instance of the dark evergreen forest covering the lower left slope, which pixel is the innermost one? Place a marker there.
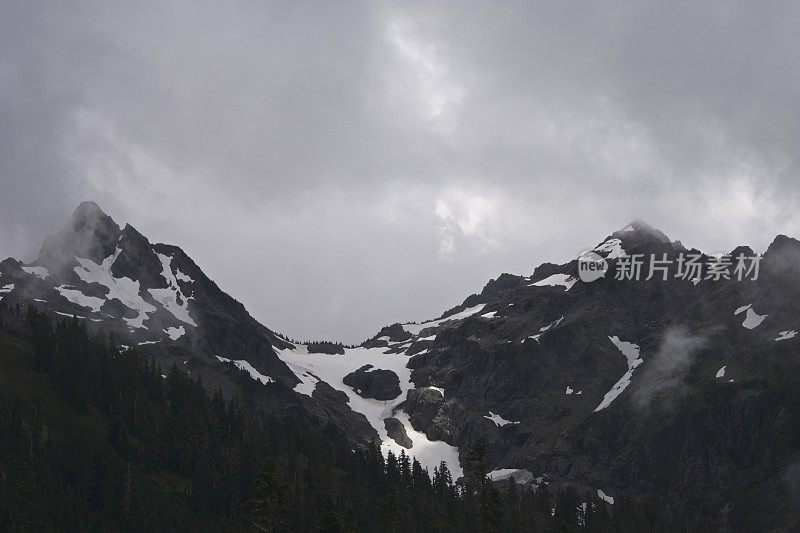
(93, 439)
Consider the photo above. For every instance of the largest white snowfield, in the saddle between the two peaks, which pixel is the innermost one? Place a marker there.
(311, 368)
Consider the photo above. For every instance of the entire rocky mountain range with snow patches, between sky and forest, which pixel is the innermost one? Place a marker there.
(681, 389)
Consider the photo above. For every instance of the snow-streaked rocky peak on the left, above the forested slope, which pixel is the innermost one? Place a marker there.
(149, 296)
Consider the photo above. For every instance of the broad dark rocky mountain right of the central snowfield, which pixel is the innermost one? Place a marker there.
(528, 371)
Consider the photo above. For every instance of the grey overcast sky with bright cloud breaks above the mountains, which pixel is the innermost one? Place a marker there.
(338, 166)
